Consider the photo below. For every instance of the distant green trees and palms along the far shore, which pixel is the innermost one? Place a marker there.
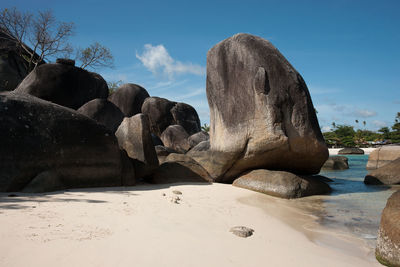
(345, 135)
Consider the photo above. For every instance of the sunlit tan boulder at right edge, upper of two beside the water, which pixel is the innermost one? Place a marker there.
(383, 155)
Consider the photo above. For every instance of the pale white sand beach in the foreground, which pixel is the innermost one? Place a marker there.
(138, 226)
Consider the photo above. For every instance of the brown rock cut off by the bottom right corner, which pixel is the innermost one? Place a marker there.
(388, 244)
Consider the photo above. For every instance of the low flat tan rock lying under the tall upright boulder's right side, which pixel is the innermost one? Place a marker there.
(282, 184)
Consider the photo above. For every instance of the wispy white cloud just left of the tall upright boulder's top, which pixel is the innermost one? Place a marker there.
(157, 59)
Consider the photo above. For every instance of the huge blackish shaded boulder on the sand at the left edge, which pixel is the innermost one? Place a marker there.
(46, 147)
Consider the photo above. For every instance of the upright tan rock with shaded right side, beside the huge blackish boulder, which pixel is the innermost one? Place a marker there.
(134, 137)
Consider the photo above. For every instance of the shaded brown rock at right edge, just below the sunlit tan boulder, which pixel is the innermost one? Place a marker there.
(388, 174)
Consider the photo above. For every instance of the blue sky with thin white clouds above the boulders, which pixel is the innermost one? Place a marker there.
(347, 51)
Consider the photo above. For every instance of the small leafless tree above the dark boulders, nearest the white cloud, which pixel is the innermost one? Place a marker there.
(95, 56)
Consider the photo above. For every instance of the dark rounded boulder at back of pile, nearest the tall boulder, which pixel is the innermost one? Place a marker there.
(186, 116)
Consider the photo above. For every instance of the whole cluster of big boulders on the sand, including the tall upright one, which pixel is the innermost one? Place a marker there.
(70, 133)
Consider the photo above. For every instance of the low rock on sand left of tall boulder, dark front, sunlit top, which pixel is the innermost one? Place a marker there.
(180, 168)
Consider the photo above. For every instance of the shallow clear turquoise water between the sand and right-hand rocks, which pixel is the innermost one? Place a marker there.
(353, 207)
